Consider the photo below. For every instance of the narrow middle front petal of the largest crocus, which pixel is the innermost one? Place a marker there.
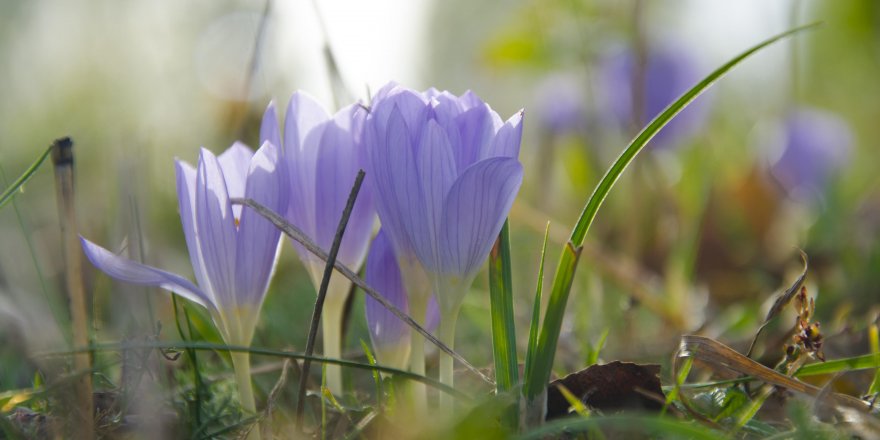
(436, 168)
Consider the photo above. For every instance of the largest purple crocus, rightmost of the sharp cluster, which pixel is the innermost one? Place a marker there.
(444, 171)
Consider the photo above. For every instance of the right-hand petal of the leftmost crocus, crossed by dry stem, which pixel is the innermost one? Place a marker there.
(257, 241)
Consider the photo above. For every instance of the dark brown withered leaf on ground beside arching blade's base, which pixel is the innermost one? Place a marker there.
(611, 387)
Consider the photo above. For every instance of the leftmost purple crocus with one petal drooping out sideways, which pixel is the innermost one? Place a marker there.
(232, 250)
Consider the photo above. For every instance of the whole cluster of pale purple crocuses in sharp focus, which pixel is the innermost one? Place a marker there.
(442, 173)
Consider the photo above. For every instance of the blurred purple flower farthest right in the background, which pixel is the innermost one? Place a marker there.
(814, 145)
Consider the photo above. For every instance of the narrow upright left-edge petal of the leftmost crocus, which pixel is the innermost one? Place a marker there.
(186, 198)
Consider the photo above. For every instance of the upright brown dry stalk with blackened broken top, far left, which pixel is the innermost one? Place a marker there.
(62, 158)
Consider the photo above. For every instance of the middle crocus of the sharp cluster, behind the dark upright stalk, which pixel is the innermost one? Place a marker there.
(323, 155)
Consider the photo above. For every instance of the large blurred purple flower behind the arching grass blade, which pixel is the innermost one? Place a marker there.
(633, 92)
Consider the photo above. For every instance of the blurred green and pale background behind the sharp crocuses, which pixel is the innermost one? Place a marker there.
(697, 235)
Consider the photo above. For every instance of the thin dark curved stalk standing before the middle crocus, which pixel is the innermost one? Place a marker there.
(322, 294)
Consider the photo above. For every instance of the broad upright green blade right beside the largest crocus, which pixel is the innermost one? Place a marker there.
(503, 327)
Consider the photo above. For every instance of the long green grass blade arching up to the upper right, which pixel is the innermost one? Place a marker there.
(549, 337)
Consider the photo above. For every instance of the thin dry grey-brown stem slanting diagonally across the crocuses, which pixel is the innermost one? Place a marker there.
(296, 234)
